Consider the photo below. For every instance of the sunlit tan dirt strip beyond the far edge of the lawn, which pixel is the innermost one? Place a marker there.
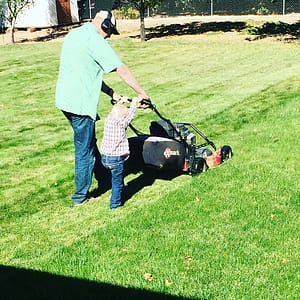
(132, 27)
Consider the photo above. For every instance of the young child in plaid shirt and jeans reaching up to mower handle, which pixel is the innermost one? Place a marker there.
(115, 148)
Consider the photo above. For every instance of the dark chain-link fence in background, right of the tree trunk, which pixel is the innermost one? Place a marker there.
(228, 7)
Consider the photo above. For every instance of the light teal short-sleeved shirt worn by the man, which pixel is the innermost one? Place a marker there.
(85, 57)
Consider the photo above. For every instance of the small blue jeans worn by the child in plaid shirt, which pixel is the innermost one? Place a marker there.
(116, 165)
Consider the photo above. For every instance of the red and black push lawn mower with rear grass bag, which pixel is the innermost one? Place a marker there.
(173, 146)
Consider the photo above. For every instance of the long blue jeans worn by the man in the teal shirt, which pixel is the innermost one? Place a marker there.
(85, 147)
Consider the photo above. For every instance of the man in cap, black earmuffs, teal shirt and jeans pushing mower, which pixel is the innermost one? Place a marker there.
(85, 57)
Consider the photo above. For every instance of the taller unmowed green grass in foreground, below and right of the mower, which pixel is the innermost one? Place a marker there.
(219, 233)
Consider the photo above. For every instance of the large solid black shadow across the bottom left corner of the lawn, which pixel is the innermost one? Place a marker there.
(17, 283)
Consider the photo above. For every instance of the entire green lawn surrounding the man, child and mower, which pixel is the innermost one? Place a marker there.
(229, 233)
